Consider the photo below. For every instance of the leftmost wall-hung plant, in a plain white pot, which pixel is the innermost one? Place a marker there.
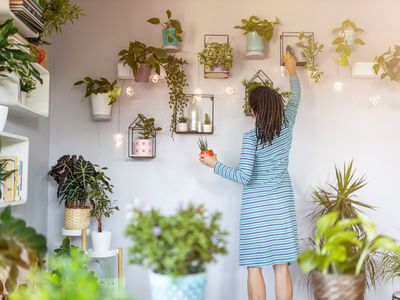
(103, 94)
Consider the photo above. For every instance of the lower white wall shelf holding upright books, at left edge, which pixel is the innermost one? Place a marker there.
(15, 145)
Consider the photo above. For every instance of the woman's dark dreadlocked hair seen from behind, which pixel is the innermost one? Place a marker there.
(269, 110)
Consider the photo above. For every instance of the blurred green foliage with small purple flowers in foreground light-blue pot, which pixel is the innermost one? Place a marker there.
(178, 244)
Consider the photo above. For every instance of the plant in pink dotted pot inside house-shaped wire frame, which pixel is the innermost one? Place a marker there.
(144, 144)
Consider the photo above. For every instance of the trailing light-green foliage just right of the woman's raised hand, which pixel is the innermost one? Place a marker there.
(310, 49)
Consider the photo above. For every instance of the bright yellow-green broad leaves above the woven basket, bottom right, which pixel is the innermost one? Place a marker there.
(338, 249)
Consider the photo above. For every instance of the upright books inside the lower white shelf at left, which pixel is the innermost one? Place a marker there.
(12, 186)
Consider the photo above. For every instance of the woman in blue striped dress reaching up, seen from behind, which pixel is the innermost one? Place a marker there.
(268, 230)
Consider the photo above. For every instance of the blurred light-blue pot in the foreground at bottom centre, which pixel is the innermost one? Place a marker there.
(180, 288)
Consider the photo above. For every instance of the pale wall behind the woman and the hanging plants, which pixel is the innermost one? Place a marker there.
(332, 127)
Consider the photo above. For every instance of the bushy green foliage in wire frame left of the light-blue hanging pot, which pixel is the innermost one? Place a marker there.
(215, 54)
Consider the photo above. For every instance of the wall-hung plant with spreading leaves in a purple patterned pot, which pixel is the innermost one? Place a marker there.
(142, 59)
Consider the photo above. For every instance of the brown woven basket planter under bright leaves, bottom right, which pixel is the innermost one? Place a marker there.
(338, 287)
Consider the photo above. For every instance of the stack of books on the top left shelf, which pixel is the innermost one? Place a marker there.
(29, 12)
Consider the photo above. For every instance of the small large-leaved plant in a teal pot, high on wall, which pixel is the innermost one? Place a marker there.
(171, 32)
